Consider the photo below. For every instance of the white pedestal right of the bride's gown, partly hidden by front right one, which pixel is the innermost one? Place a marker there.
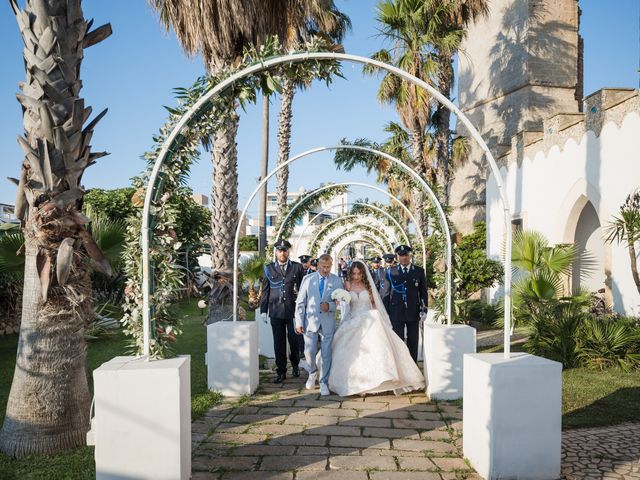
(444, 350)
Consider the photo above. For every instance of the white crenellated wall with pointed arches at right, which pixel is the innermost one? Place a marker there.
(551, 175)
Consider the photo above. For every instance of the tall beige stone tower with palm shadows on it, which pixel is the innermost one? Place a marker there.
(521, 64)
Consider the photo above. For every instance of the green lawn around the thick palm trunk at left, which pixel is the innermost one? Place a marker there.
(78, 463)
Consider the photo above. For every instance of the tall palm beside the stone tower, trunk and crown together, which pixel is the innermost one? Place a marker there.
(451, 32)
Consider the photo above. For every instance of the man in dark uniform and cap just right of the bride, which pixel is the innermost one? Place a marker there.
(406, 298)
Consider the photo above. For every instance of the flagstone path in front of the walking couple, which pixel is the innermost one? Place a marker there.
(287, 432)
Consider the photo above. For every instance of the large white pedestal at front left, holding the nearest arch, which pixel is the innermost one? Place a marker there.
(142, 423)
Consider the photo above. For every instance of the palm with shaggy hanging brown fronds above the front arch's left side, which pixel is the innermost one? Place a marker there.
(220, 30)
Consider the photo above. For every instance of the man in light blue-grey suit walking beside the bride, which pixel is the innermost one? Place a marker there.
(315, 316)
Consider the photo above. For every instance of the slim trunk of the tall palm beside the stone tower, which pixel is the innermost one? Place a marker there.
(443, 121)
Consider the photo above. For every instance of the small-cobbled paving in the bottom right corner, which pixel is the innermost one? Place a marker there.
(595, 453)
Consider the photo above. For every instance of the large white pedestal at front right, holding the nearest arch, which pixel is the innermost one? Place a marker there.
(512, 416)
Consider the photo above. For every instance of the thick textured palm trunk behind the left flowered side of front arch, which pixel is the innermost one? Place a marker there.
(224, 196)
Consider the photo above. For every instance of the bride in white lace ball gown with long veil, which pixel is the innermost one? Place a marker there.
(368, 357)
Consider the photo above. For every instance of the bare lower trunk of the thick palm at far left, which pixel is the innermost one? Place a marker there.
(48, 406)
